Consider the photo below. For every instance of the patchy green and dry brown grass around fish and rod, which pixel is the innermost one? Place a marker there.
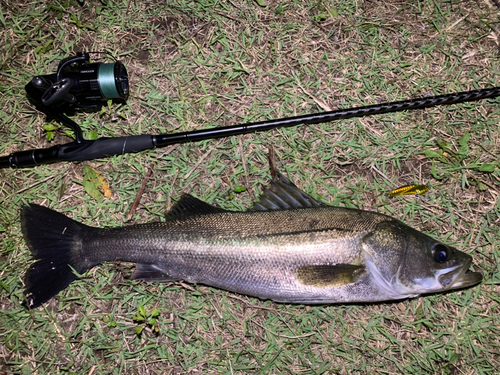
(194, 65)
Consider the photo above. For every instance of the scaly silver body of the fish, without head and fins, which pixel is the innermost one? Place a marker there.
(253, 253)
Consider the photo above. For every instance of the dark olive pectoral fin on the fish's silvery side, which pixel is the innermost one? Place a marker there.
(329, 275)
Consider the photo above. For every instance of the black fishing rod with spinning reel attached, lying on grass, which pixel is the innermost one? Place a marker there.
(79, 84)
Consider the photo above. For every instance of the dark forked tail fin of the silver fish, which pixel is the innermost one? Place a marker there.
(56, 242)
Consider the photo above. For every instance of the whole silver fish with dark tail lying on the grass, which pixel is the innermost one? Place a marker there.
(288, 247)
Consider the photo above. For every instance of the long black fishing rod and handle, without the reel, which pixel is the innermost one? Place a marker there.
(87, 149)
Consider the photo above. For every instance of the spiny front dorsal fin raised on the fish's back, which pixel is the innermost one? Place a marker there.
(282, 194)
